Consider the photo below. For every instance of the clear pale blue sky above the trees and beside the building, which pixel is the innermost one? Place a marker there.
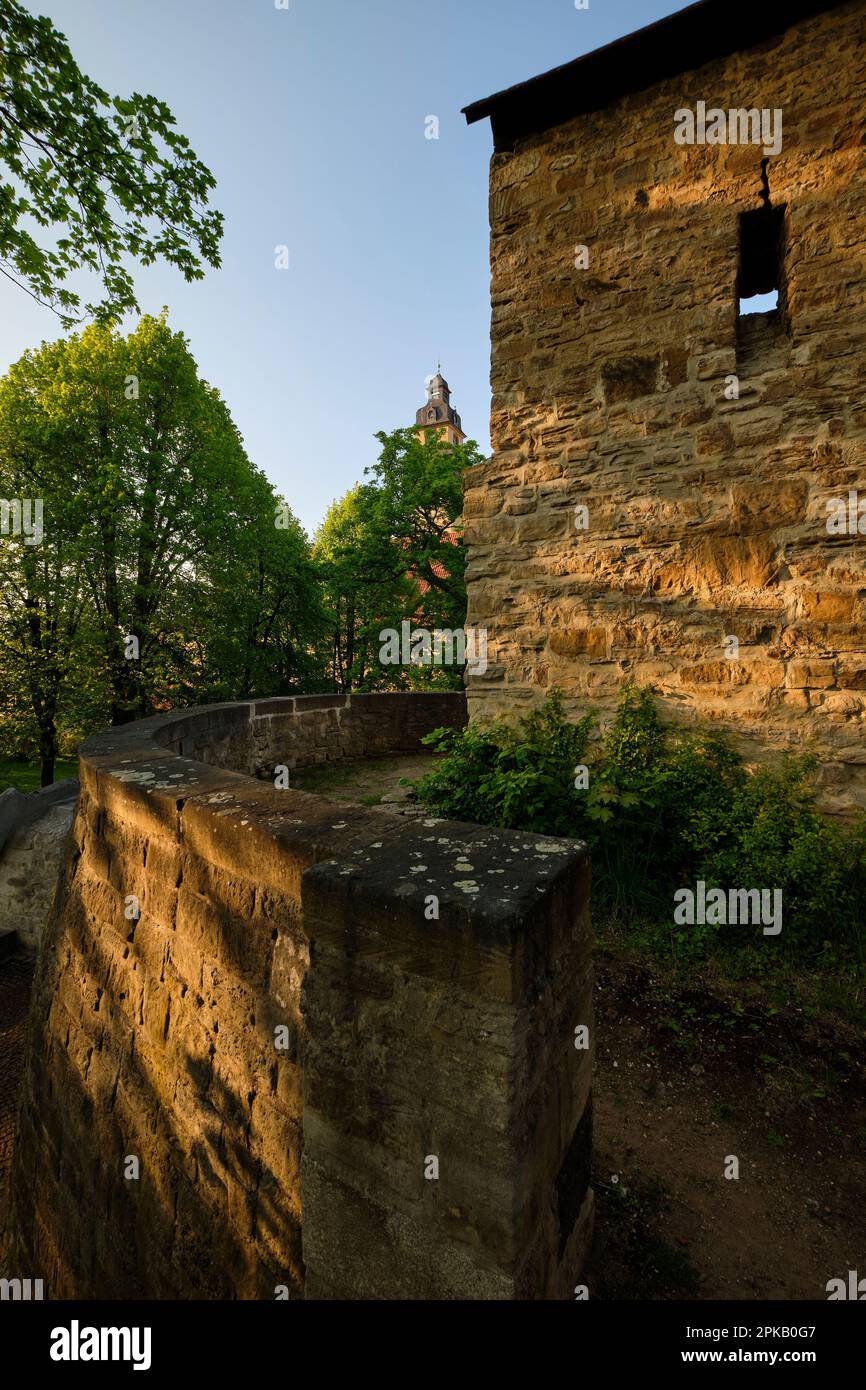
(313, 122)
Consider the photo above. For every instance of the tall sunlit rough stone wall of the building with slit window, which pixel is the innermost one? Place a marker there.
(707, 516)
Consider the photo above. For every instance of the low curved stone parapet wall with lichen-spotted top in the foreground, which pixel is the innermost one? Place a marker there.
(241, 1092)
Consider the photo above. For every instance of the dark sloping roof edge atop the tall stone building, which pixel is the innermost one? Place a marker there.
(679, 44)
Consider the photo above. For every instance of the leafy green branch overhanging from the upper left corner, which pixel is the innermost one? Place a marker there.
(111, 179)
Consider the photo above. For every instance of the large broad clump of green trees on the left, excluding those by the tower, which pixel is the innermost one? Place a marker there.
(169, 572)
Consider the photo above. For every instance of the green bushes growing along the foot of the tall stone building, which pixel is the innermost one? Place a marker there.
(665, 807)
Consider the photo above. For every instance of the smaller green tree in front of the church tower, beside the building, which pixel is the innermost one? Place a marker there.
(391, 551)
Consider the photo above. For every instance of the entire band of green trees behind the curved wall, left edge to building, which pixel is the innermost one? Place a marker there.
(170, 573)
